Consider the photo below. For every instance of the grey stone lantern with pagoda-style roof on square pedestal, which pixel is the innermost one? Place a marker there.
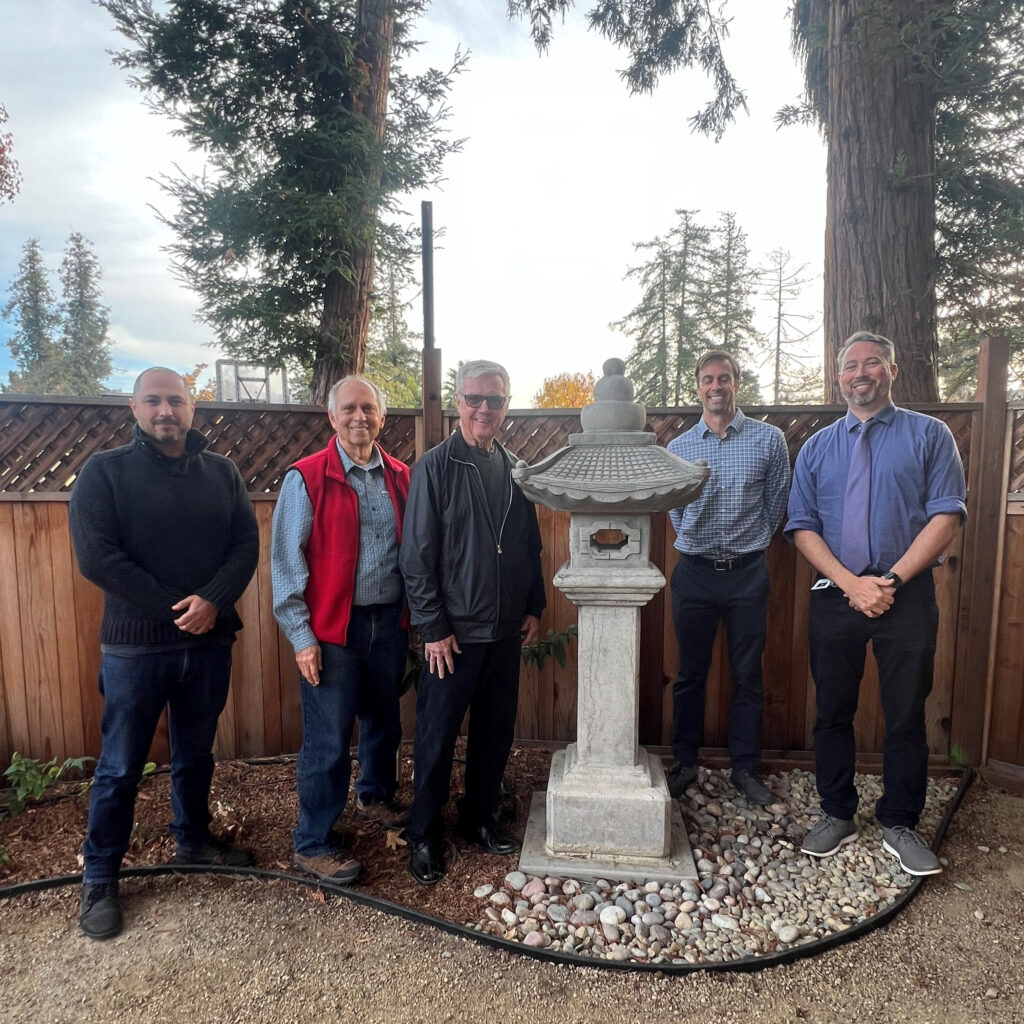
(608, 813)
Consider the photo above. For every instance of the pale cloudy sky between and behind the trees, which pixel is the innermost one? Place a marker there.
(563, 173)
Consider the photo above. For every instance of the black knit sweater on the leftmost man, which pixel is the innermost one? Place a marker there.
(150, 531)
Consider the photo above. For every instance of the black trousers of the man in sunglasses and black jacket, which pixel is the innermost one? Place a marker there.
(486, 682)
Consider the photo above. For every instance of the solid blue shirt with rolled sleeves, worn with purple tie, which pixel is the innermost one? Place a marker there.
(917, 474)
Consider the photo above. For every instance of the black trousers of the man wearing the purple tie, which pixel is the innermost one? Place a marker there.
(904, 642)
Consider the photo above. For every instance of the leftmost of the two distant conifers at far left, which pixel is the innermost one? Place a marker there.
(31, 308)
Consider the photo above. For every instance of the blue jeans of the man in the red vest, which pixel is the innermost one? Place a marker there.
(360, 679)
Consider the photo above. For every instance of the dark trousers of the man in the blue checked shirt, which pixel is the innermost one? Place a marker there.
(701, 599)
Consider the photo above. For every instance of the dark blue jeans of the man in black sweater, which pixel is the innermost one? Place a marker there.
(193, 685)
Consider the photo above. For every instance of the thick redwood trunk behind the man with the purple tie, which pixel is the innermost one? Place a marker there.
(880, 228)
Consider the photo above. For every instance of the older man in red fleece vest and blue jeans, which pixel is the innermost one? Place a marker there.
(339, 599)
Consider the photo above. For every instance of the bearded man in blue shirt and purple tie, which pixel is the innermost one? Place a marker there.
(877, 498)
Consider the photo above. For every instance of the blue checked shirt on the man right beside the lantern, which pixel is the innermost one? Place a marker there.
(743, 502)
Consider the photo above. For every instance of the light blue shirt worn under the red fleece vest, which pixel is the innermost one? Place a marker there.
(377, 578)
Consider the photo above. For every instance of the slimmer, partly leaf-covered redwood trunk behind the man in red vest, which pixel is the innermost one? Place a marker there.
(343, 346)
